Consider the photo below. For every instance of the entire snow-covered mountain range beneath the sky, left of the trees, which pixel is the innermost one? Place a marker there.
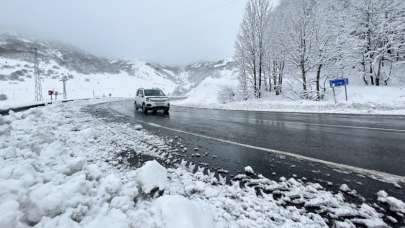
(90, 75)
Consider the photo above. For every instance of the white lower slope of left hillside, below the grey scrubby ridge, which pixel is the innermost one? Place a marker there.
(19, 86)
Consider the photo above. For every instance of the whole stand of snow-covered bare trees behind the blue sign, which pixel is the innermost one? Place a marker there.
(317, 40)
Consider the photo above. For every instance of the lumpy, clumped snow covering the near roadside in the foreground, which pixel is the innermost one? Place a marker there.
(61, 167)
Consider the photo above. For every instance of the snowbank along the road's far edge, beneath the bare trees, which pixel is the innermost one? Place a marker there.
(361, 100)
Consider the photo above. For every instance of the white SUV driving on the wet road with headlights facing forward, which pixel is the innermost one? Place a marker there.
(151, 99)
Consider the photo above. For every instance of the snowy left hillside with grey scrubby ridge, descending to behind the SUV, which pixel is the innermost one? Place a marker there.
(88, 75)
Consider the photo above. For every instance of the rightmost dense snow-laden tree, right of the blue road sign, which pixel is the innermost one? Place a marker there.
(379, 31)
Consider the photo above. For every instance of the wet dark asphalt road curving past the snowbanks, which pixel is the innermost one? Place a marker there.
(367, 142)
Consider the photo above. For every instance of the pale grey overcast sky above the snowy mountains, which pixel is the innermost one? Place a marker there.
(164, 31)
